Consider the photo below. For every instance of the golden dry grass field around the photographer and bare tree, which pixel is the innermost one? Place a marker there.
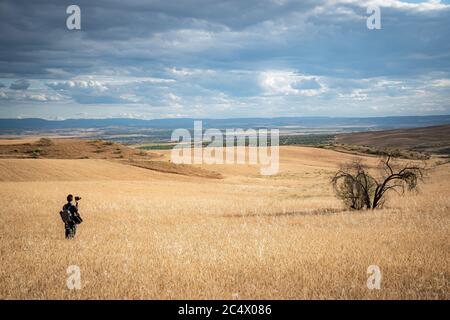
(154, 235)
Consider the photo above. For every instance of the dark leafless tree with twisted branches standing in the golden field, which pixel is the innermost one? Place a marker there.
(359, 189)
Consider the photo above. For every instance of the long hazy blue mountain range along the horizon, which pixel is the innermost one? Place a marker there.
(8, 126)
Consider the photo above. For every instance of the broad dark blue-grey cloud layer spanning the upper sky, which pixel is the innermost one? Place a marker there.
(311, 36)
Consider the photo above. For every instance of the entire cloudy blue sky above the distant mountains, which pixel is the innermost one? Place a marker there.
(223, 59)
